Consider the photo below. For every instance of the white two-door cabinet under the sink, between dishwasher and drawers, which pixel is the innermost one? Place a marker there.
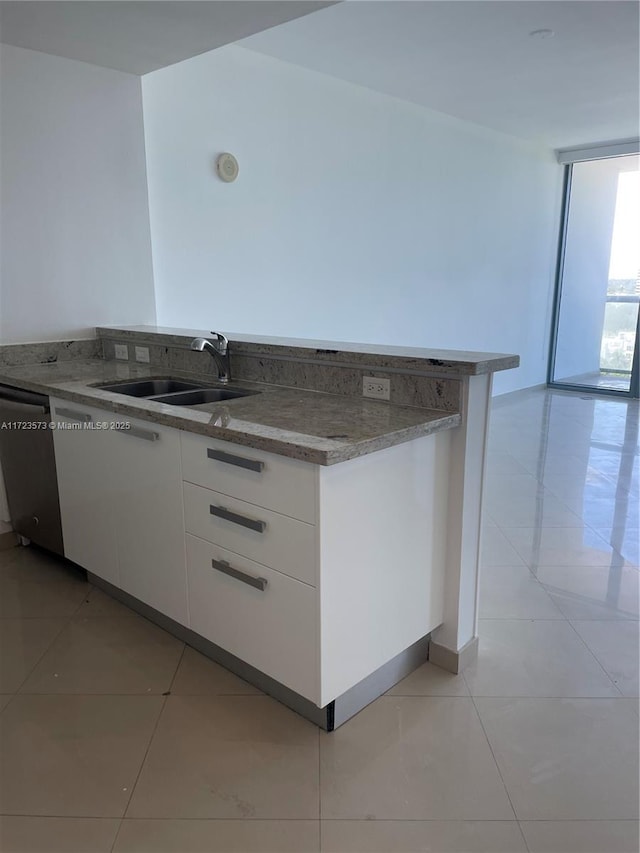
(121, 504)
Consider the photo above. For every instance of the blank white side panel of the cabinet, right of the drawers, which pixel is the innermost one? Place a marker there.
(383, 519)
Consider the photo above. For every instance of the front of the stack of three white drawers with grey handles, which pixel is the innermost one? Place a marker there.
(252, 557)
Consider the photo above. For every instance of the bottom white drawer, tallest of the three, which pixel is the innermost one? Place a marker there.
(273, 629)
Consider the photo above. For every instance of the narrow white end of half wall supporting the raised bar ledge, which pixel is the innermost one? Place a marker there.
(454, 644)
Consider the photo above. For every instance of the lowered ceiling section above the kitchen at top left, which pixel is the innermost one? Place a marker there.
(139, 37)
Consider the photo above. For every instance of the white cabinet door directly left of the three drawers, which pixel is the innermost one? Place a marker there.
(149, 516)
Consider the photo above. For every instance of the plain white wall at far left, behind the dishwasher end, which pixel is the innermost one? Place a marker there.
(75, 229)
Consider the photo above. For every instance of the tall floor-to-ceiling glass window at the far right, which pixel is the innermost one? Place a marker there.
(595, 343)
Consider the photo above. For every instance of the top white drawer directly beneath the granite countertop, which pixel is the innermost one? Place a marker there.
(266, 479)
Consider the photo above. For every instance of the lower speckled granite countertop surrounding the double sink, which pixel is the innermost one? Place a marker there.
(308, 425)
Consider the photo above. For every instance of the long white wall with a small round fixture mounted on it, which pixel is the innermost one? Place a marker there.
(356, 216)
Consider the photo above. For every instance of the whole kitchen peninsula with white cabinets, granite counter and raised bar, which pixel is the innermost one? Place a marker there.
(319, 544)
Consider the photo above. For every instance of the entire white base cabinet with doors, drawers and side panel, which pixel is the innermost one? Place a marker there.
(317, 576)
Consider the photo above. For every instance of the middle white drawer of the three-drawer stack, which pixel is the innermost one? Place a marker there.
(275, 540)
